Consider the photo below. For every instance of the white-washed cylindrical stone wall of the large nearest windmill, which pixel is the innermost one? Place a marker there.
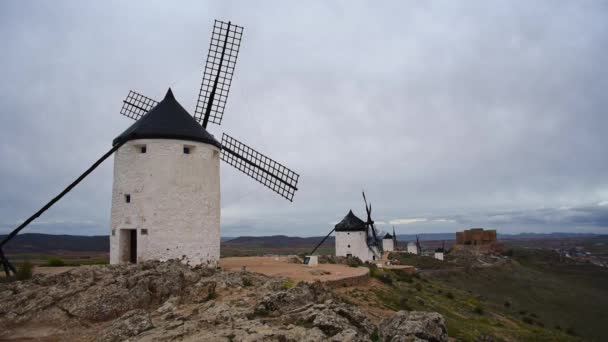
(174, 196)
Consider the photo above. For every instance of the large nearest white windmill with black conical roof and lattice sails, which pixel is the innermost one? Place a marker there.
(166, 196)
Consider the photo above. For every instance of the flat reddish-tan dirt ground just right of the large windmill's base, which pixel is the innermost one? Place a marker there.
(279, 266)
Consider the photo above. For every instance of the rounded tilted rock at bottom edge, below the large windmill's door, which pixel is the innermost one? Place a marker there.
(128, 325)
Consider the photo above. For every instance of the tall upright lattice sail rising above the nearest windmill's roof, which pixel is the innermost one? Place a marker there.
(217, 77)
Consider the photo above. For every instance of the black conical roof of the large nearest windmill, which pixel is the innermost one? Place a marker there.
(168, 120)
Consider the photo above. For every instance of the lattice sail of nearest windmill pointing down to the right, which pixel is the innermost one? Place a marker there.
(270, 173)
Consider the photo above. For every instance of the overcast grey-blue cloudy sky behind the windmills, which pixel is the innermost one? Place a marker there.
(449, 114)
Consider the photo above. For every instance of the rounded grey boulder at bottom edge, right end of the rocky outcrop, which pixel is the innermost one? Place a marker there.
(413, 326)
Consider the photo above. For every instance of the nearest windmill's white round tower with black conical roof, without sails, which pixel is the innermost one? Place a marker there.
(166, 191)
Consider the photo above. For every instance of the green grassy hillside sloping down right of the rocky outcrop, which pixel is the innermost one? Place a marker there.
(534, 298)
